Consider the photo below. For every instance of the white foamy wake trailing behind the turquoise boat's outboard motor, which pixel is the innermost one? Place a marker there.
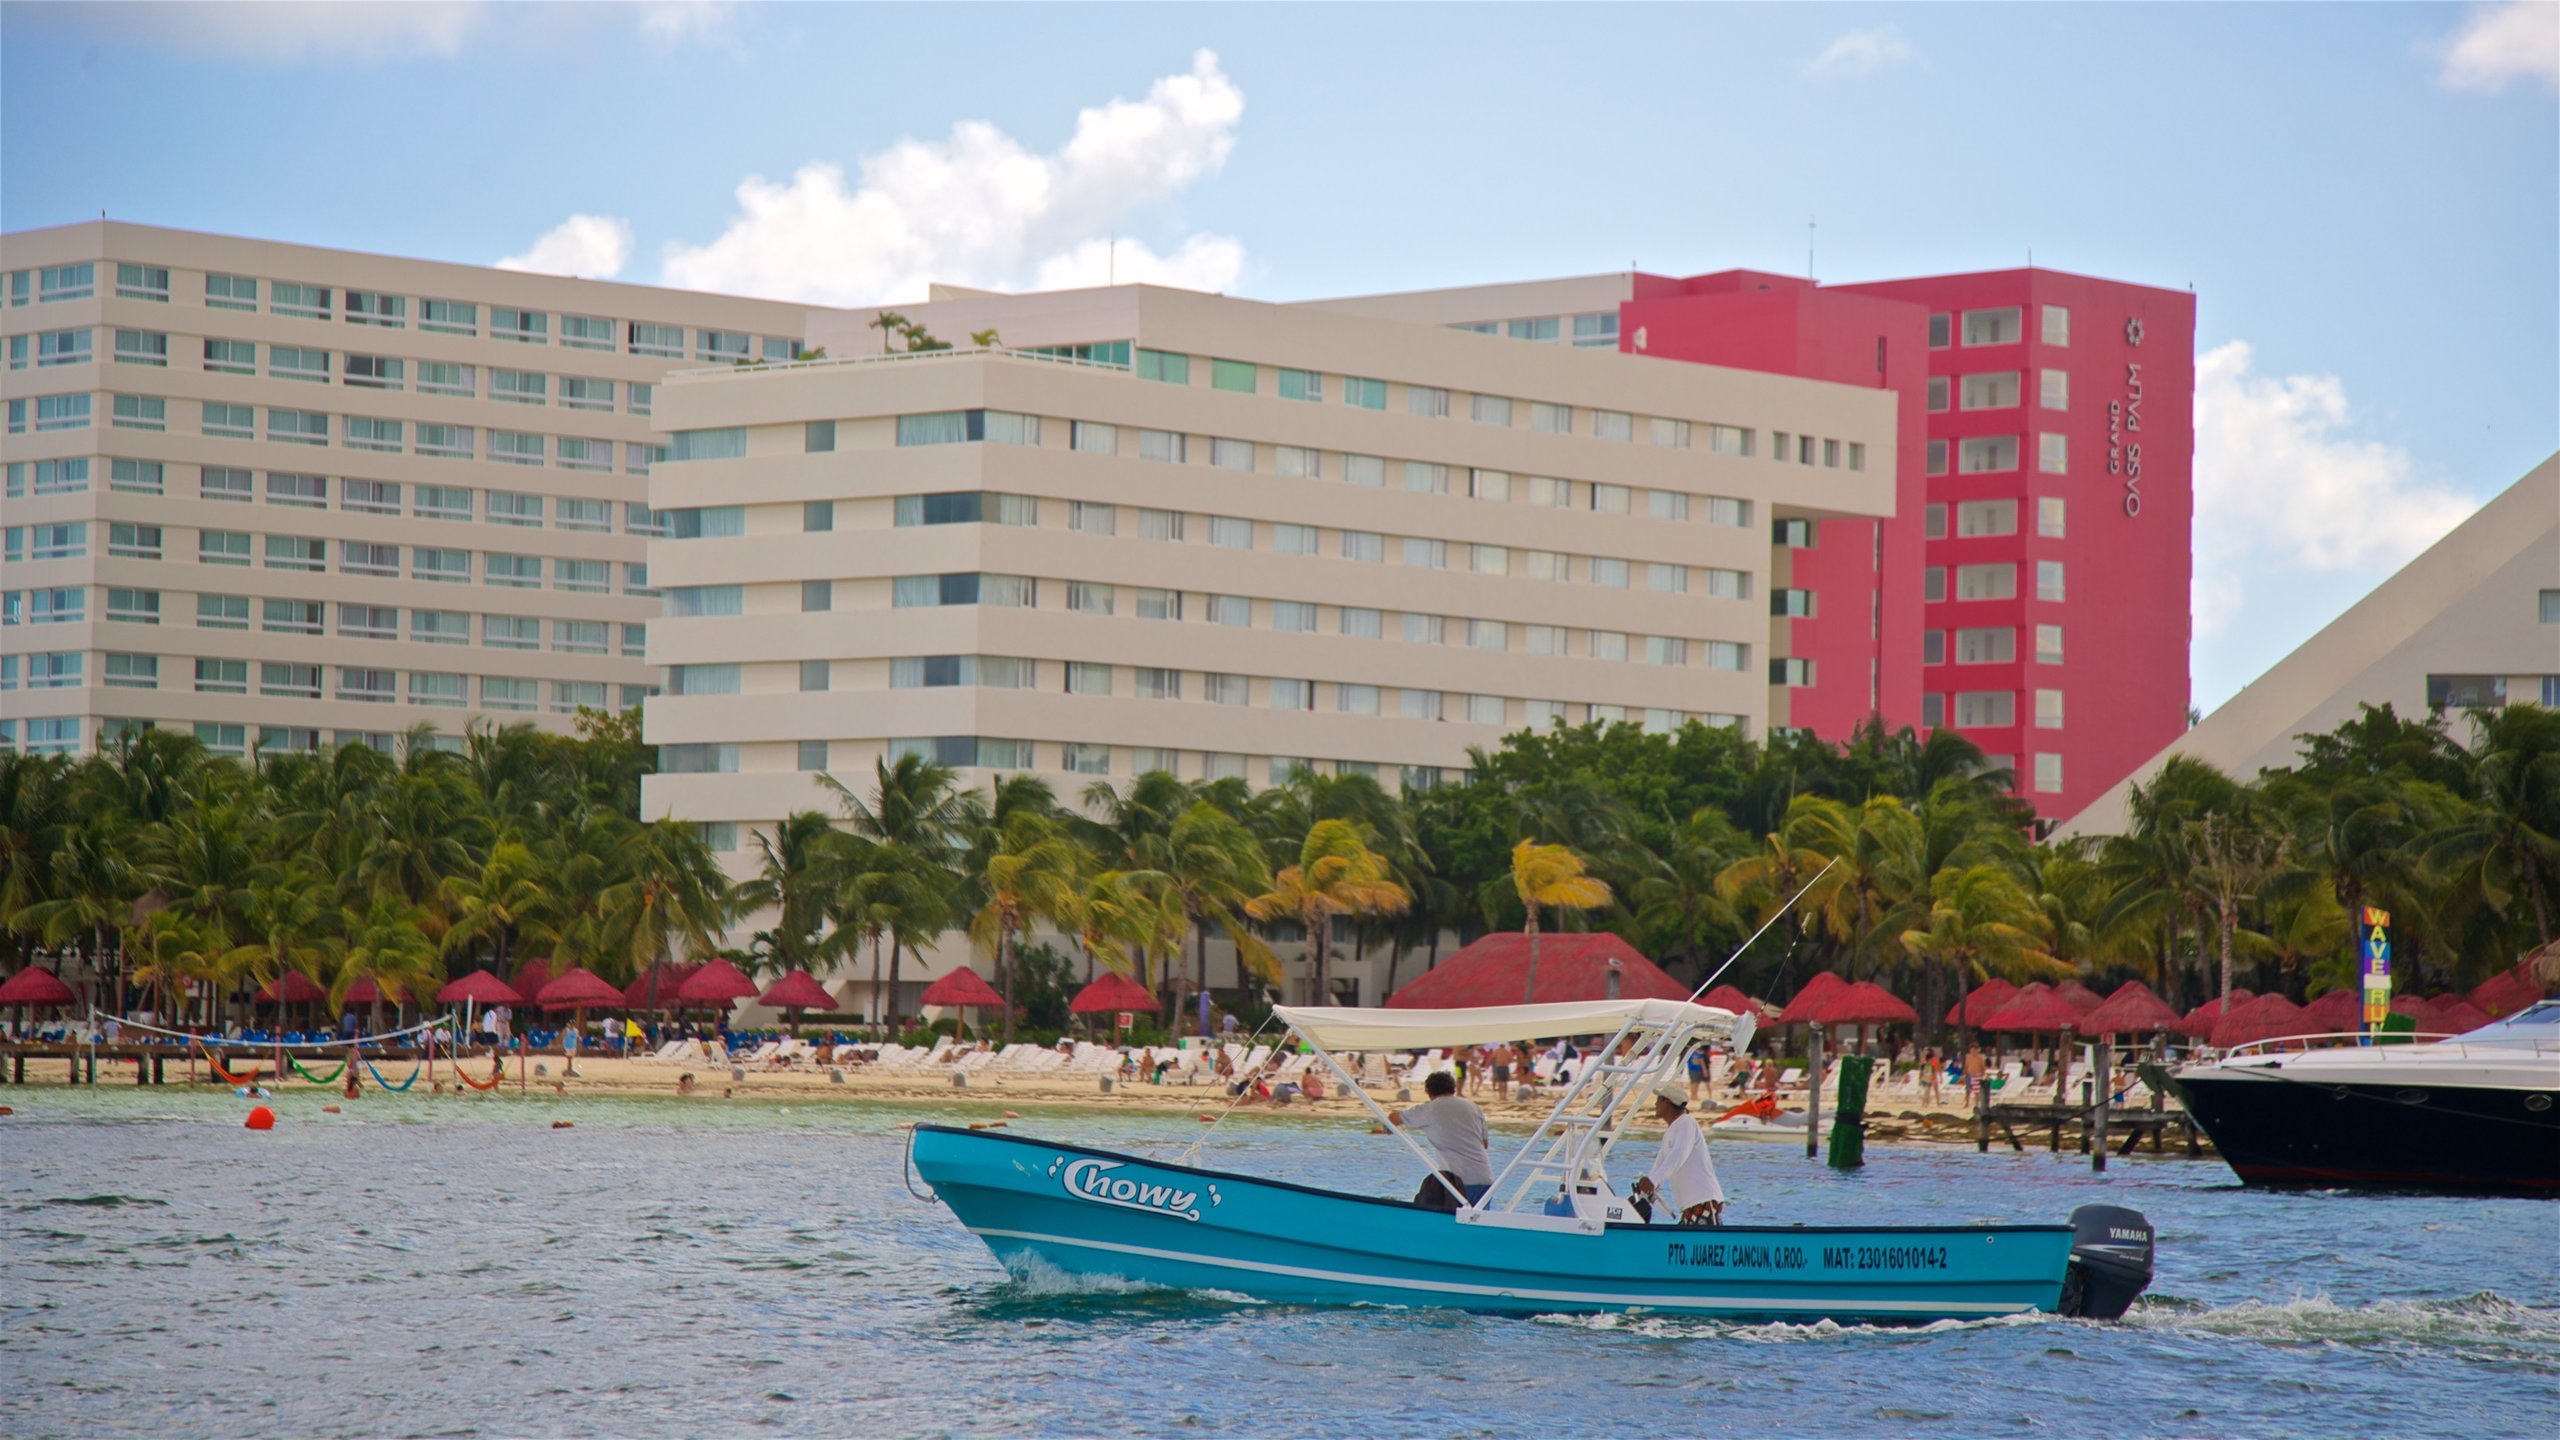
(2482, 1326)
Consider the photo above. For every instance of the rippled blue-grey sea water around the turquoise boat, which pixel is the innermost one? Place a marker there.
(457, 1267)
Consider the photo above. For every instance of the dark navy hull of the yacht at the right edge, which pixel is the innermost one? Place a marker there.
(2303, 1134)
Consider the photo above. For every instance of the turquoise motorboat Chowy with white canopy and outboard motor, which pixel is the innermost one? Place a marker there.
(1553, 1236)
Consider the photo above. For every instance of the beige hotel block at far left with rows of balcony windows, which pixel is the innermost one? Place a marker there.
(285, 498)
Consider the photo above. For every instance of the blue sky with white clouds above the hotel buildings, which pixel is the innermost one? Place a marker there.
(2367, 199)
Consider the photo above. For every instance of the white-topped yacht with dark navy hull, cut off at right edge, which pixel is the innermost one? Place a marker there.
(2472, 1113)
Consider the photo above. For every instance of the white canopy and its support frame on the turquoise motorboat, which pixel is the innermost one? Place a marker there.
(1647, 1042)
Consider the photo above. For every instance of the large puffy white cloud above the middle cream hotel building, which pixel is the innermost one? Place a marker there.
(979, 209)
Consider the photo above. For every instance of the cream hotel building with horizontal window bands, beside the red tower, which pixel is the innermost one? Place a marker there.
(1220, 539)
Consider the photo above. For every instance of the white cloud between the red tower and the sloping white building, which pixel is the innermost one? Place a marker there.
(2282, 493)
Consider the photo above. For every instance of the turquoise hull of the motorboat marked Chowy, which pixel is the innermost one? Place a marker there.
(1048, 1208)
